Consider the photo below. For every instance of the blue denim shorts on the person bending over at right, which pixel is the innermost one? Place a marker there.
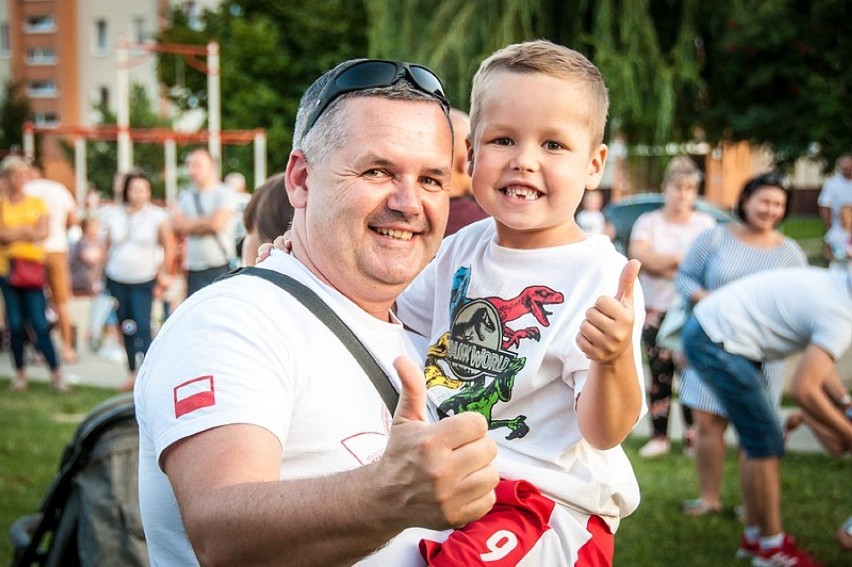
(741, 389)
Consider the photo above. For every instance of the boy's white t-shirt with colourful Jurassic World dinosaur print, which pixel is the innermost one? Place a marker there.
(502, 325)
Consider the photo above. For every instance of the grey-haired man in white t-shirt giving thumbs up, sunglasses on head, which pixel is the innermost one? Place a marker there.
(261, 440)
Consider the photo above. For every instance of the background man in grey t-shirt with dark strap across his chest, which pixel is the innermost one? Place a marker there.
(204, 216)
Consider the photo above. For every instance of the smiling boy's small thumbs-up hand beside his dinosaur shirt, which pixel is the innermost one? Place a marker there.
(607, 331)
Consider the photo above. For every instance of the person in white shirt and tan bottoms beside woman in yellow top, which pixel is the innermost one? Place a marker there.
(63, 215)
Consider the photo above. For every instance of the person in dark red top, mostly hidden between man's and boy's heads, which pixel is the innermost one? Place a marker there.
(463, 207)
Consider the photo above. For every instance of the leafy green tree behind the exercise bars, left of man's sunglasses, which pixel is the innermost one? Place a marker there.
(270, 51)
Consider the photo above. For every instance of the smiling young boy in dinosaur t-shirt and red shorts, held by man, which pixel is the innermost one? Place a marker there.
(533, 323)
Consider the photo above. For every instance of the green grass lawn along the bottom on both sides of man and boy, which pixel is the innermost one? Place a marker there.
(35, 426)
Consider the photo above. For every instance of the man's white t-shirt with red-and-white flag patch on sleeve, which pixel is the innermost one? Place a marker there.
(245, 351)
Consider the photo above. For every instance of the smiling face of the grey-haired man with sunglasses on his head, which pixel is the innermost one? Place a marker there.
(373, 216)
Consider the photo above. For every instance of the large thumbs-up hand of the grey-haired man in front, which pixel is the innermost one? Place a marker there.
(439, 473)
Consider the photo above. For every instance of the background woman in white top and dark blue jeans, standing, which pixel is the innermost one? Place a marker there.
(140, 247)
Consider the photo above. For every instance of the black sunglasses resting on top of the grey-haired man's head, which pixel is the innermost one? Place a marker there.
(374, 73)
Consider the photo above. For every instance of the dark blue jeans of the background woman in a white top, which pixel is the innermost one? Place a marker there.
(134, 317)
